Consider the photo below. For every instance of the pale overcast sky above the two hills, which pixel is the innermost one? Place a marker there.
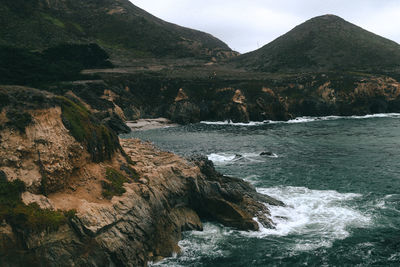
(246, 25)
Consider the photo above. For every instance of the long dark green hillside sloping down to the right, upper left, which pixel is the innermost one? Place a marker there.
(116, 25)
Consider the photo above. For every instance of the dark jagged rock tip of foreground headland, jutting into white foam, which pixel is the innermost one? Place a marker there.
(231, 201)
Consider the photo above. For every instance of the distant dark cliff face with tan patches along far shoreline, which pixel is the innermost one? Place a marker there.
(285, 98)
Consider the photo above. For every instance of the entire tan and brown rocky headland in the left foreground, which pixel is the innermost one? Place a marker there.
(127, 209)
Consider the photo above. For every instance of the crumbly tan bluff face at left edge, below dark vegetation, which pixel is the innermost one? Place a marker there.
(45, 151)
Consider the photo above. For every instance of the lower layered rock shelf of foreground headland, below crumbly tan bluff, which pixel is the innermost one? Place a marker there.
(145, 223)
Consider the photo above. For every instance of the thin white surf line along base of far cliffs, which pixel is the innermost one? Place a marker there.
(303, 120)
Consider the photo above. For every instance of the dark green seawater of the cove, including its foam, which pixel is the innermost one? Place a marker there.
(339, 176)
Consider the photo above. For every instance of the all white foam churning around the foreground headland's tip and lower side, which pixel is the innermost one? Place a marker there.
(312, 219)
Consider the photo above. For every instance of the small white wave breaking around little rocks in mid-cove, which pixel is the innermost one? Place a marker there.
(225, 158)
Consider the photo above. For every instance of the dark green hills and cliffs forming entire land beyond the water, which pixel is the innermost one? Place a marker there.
(310, 71)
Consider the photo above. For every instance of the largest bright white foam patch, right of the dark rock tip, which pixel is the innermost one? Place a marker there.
(319, 217)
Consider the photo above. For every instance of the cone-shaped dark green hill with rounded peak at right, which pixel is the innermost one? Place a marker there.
(324, 43)
